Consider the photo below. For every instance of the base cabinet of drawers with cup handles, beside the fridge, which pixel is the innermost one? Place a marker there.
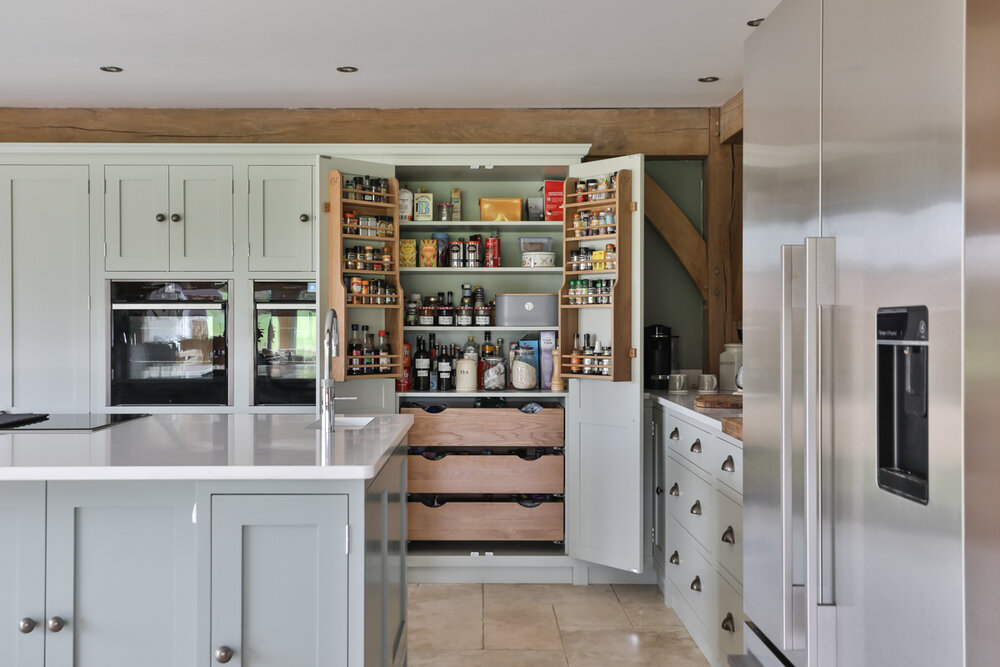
(698, 529)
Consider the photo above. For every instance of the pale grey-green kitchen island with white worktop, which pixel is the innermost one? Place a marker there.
(181, 540)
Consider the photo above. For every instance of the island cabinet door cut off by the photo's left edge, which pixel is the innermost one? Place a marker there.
(22, 573)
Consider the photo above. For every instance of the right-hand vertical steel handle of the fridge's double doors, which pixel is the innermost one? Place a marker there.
(820, 282)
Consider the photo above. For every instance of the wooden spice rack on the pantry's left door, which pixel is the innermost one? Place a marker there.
(356, 308)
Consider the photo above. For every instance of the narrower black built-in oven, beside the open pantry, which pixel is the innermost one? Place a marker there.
(285, 347)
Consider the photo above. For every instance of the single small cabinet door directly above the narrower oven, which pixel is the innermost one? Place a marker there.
(280, 239)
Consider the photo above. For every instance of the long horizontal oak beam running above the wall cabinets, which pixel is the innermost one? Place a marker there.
(681, 133)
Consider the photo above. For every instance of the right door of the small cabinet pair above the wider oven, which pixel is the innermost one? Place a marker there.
(201, 236)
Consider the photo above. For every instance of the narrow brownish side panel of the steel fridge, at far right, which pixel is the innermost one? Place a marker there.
(982, 322)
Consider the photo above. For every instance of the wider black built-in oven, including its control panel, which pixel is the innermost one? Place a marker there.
(169, 343)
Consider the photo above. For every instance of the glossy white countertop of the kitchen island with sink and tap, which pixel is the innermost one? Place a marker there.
(203, 446)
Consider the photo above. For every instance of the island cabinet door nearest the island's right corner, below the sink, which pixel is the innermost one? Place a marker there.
(279, 579)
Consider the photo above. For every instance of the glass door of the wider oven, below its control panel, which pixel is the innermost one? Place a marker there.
(169, 354)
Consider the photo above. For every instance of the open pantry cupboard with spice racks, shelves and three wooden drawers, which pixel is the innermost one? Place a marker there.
(498, 494)
